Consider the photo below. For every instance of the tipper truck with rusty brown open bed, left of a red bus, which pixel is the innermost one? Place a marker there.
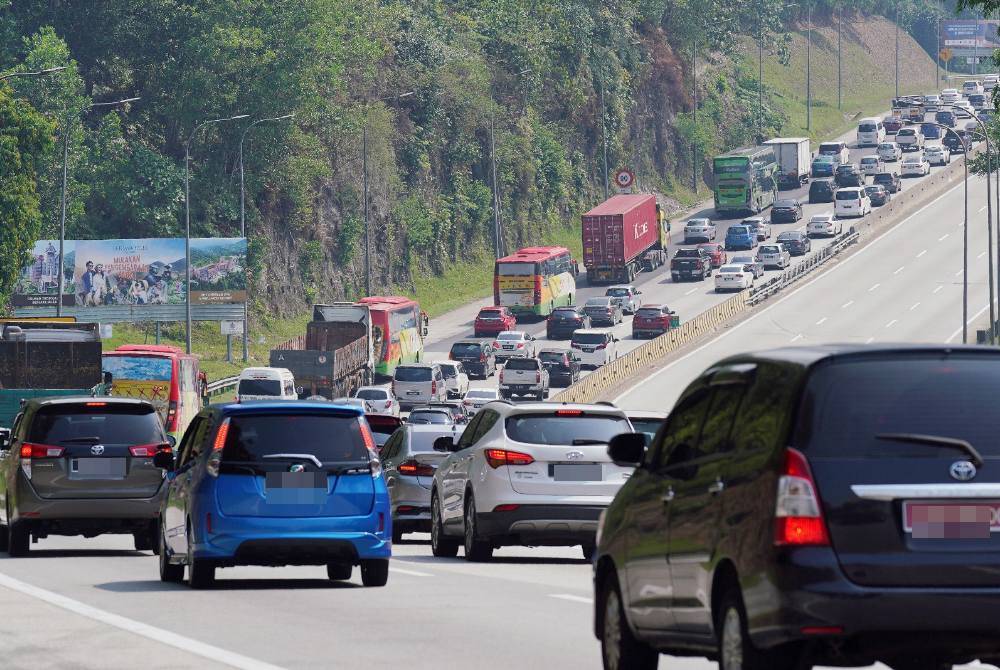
(337, 357)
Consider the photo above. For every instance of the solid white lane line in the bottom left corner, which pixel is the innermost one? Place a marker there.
(138, 628)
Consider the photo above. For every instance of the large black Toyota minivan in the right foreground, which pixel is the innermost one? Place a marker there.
(832, 505)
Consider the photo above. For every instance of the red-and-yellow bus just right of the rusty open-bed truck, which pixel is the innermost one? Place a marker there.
(398, 330)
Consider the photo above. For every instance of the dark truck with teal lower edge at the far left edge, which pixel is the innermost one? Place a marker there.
(41, 359)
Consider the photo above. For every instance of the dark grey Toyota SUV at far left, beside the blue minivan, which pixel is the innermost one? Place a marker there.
(82, 466)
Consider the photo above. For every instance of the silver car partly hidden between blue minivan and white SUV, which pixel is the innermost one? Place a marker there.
(409, 462)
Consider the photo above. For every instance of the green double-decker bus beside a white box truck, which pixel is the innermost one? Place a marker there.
(745, 180)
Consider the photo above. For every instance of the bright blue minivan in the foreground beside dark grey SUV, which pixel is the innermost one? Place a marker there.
(275, 483)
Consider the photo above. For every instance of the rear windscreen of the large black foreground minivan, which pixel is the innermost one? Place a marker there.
(847, 404)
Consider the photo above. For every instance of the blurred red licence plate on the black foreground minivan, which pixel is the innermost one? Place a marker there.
(951, 520)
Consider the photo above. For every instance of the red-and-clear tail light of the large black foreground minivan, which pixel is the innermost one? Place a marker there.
(798, 515)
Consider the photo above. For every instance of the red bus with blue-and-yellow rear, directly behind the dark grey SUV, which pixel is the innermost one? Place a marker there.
(163, 375)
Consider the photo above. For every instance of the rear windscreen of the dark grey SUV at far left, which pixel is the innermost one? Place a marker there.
(97, 424)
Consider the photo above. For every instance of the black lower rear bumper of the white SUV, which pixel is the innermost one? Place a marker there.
(541, 525)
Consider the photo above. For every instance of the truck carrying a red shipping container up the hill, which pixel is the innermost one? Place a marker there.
(617, 236)
